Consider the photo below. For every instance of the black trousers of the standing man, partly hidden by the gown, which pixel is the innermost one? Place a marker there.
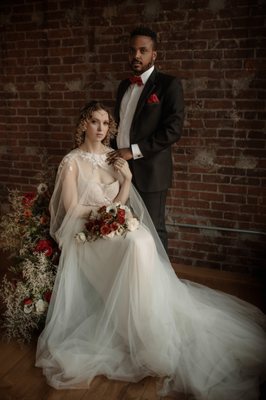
(155, 203)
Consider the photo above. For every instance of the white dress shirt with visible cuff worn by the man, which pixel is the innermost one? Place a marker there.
(127, 110)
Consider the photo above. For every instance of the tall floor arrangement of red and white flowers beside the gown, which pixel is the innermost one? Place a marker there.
(26, 289)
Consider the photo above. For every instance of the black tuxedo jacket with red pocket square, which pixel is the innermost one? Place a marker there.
(156, 125)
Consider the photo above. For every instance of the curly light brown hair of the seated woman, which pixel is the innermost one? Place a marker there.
(85, 115)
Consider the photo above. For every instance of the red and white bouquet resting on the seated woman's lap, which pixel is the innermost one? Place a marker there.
(107, 222)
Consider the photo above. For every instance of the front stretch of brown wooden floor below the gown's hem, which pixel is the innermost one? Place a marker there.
(20, 380)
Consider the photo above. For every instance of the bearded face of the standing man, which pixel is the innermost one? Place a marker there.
(141, 54)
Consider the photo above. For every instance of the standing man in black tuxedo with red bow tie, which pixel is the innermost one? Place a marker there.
(149, 111)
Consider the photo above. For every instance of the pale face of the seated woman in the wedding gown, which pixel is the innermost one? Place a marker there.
(97, 126)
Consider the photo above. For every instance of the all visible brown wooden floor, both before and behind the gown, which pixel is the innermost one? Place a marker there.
(21, 380)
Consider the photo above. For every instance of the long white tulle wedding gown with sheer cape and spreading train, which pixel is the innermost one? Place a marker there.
(119, 310)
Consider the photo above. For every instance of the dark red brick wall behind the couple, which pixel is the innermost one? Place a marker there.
(55, 55)
